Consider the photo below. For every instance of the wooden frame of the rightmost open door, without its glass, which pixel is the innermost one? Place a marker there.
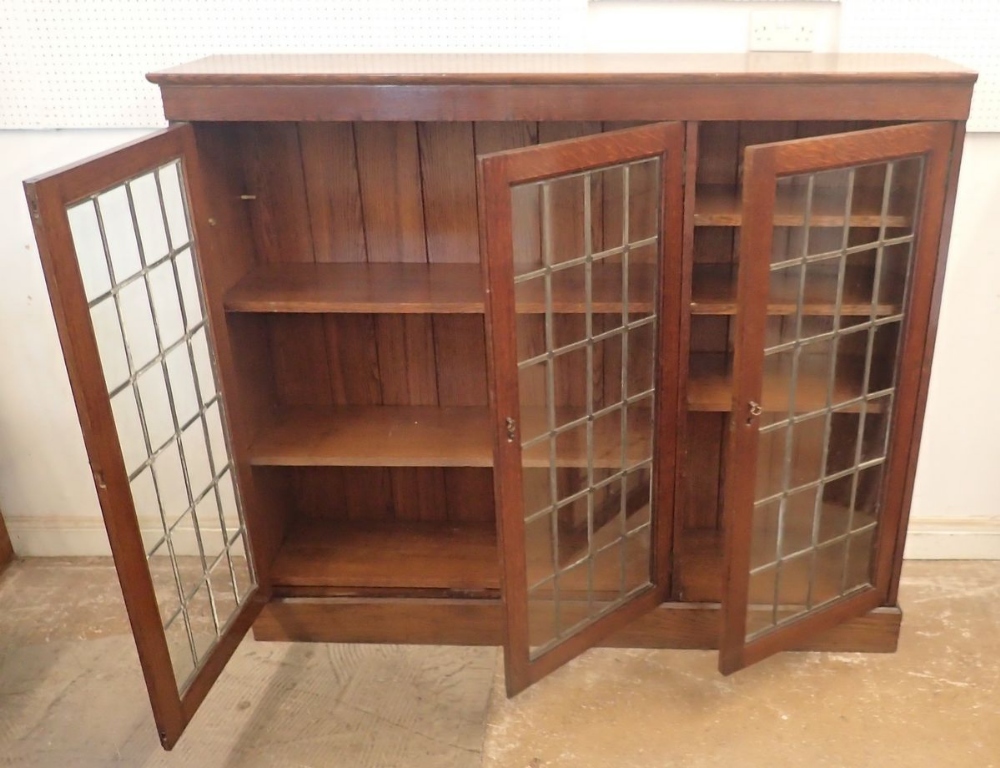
(763, 166)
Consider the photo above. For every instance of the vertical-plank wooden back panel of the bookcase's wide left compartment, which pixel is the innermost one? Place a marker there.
(385, 192)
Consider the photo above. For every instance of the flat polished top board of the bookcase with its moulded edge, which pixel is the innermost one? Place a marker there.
(532, 68)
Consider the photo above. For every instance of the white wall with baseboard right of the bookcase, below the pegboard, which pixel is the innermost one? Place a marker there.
(956, 501)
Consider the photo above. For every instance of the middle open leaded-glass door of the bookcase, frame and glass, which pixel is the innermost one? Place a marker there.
(583, 239)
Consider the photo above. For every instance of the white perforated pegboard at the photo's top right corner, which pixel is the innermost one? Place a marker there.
(964, 31)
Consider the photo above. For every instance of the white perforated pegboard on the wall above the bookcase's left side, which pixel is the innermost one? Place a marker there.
(80, 63)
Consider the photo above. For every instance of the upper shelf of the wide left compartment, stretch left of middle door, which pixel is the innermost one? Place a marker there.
(396, 288)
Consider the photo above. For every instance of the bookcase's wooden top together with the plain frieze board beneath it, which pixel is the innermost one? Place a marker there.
(566, 86)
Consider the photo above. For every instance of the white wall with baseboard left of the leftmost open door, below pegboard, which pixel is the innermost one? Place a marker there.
(46, 491)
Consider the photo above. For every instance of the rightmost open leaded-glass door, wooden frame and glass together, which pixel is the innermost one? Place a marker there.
(838, 247)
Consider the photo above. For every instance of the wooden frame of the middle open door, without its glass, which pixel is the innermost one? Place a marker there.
(497, 174)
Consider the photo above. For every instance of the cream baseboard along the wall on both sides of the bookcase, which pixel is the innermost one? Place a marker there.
(928, 539)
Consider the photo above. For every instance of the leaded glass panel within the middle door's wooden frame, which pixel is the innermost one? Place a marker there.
(586, 350)
